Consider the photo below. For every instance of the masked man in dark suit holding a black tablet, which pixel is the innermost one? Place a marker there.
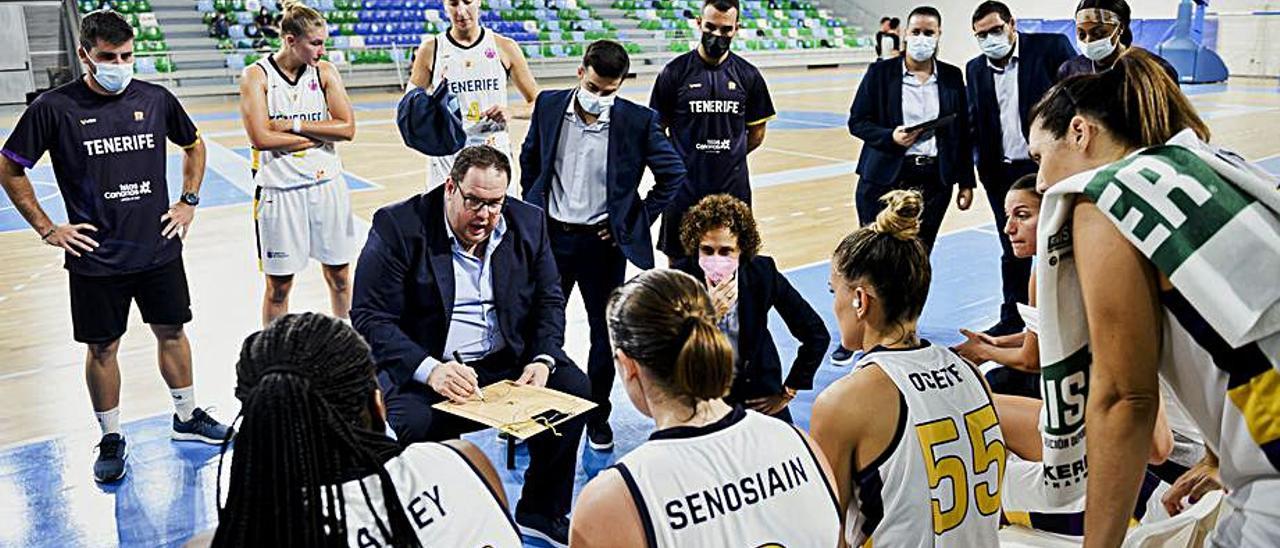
(898, 94)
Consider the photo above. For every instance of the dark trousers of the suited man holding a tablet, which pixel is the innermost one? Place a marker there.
(925, 179)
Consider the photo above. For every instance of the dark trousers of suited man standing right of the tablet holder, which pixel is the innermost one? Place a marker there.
(1016, 273)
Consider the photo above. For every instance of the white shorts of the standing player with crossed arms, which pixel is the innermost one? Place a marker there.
(308, 222)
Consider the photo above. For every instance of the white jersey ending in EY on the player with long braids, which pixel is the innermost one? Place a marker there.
(445, 499)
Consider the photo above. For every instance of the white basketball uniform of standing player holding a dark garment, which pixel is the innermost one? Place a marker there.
(479, 81)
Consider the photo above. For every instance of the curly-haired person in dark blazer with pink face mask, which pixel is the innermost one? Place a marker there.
(721, 241)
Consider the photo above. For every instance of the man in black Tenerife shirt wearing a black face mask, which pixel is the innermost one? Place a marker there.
(715, 106)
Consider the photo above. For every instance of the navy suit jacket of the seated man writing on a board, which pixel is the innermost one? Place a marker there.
(404, 295)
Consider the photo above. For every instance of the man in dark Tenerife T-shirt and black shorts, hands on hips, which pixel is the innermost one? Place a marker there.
(107, 138)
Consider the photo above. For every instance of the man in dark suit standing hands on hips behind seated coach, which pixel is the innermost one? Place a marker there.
(583, 161)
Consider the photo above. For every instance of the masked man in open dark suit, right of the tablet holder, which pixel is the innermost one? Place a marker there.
(1013, 72)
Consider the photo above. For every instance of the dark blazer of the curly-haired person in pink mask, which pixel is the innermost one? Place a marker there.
(760, 369)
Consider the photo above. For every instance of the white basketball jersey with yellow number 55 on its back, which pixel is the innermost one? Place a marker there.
(939, 482)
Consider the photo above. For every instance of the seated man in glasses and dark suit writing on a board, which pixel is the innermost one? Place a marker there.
(456, 290)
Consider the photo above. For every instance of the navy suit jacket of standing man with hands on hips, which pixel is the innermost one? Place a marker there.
(636, 141)
